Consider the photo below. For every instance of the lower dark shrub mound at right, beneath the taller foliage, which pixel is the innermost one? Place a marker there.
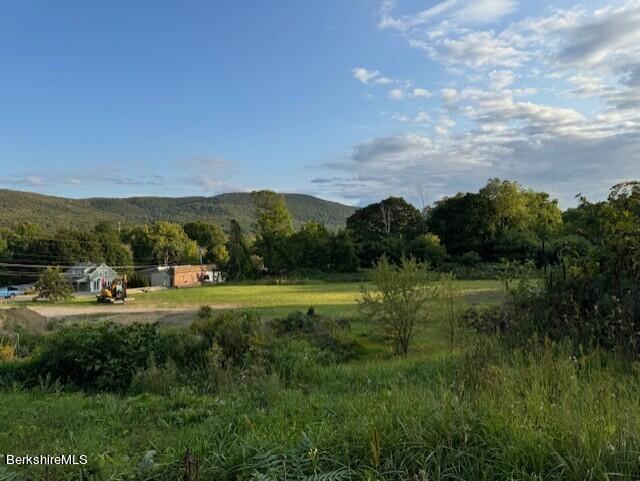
(577, 304)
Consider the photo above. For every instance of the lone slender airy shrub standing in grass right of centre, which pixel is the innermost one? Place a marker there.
(399, 300)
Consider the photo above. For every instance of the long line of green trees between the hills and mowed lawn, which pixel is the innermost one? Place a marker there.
(503, 221)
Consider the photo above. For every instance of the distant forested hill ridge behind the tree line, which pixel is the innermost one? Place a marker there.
(51, 212)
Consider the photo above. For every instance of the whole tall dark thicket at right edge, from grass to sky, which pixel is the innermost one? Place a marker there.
(591, 296)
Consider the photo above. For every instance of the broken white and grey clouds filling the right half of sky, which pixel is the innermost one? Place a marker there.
(552, 100)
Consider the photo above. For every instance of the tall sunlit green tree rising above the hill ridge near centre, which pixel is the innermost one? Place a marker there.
(272, 228)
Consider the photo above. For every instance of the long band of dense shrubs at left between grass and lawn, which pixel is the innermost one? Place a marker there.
(224, 347)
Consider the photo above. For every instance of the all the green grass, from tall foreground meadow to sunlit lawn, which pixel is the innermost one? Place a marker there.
(473, 411)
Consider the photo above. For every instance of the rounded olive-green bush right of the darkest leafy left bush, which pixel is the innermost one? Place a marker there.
(238, 334)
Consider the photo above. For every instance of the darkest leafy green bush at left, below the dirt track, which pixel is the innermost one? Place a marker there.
(103, 358)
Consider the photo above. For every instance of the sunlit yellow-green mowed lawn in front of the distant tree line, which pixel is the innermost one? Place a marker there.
(326, 298)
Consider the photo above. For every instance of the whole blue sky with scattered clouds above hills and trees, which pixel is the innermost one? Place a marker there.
(348, 100)
